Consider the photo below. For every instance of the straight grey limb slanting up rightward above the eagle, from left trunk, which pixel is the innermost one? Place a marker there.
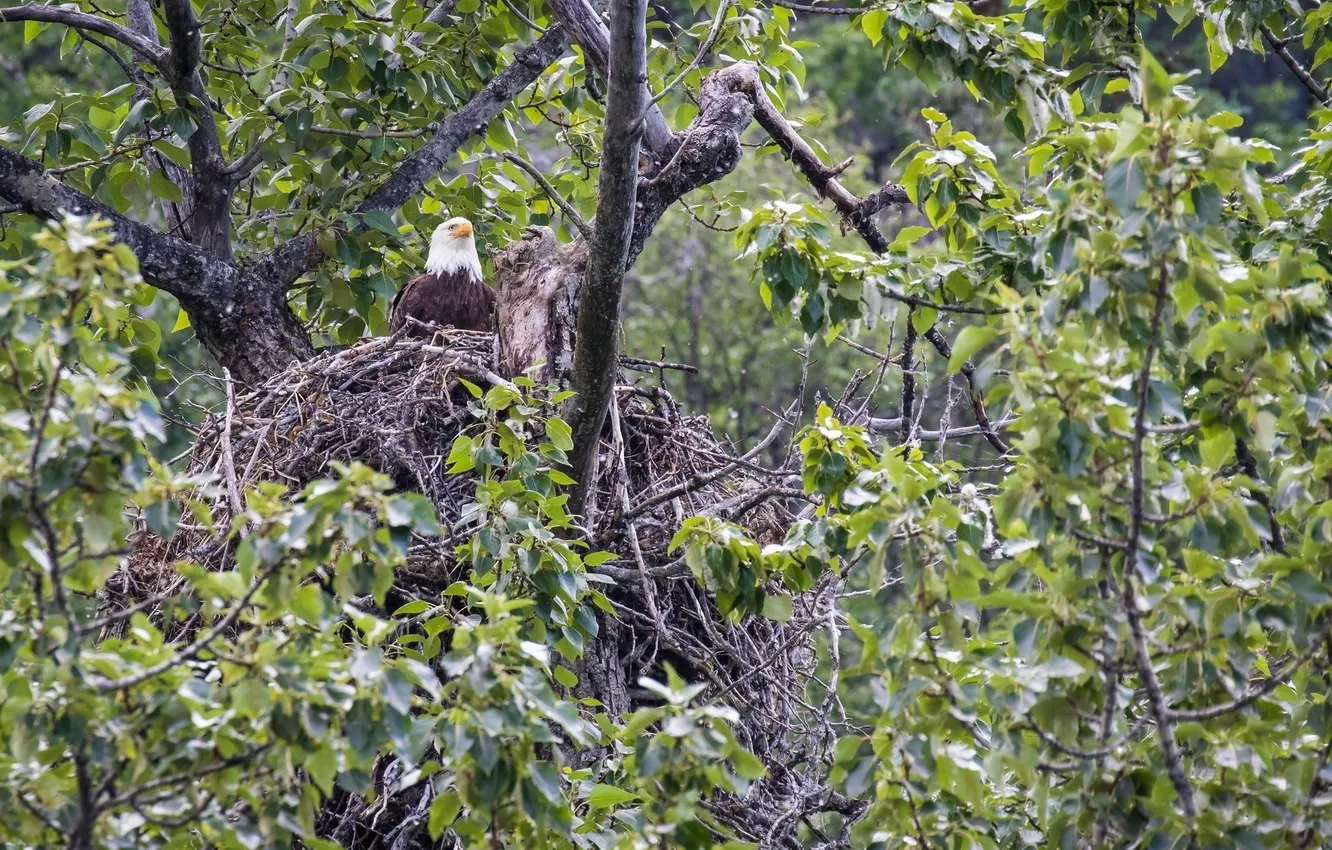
(288, 263)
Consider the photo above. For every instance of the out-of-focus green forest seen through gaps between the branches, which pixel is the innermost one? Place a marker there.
(688, 299)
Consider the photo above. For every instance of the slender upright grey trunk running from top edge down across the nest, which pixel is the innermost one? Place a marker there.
(617, 193)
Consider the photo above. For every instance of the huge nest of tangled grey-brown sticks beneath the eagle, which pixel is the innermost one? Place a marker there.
(398, 406)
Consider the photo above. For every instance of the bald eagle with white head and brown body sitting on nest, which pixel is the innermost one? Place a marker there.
(451, 292)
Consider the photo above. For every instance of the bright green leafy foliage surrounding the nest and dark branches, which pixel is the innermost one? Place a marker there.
(1114, 631)
